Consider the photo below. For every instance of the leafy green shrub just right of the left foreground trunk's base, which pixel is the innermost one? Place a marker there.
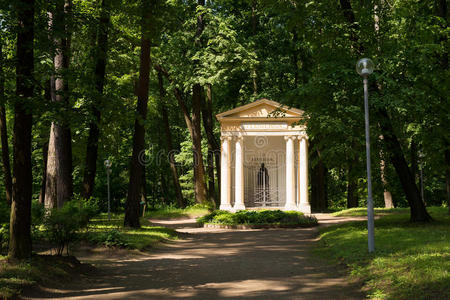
(61, 225)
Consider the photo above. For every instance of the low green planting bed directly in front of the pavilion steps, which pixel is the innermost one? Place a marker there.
(262, 217)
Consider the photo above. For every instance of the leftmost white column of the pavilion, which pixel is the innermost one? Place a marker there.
(225, 174)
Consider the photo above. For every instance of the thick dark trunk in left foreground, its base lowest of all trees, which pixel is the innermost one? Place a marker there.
(20, 222)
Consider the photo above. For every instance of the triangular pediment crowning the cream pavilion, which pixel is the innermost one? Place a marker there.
(262, 108)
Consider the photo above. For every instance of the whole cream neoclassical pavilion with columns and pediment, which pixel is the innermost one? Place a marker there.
(264, 158)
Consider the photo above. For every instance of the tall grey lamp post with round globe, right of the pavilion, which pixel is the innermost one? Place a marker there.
(364, 67)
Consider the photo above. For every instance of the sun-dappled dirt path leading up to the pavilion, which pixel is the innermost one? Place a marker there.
(215, 264)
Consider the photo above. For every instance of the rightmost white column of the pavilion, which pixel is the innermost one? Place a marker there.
(304, 206)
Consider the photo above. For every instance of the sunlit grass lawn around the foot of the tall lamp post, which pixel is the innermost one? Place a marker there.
(411, 261)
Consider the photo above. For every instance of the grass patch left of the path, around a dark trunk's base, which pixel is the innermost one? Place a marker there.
(112, 233)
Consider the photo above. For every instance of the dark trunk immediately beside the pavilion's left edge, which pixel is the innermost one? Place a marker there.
(213, 145)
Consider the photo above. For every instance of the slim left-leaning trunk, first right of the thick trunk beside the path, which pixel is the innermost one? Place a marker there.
(170, 149)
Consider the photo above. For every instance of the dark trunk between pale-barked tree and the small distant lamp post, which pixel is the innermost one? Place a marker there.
(99, 79)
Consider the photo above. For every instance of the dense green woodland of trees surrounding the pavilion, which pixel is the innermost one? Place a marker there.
(139, 83)
